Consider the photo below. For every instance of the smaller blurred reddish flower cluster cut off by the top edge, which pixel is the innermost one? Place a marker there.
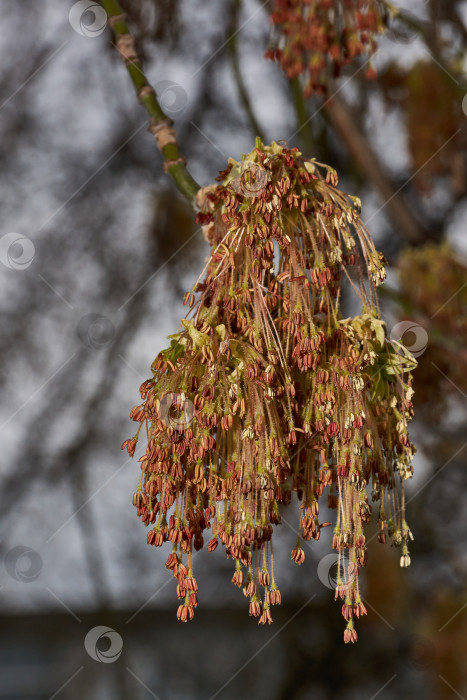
(318, 38)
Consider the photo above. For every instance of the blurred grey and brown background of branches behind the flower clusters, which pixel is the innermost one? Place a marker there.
(115, 249)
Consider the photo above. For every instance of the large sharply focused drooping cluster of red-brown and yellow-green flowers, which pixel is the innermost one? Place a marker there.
(267, 390)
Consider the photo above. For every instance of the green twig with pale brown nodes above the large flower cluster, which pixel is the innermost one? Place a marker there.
(160, 124)
